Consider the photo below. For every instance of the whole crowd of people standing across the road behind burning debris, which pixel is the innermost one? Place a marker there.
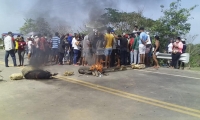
(108, 49)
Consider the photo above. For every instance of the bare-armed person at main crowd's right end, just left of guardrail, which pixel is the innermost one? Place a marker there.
(156, 52)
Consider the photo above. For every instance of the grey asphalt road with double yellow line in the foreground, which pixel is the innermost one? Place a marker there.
(163, 94)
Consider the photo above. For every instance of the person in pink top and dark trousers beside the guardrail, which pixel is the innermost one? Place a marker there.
(176, 52)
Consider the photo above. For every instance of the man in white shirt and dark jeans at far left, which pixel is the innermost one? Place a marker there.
(9, 48)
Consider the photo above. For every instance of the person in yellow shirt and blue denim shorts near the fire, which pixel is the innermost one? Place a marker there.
(109, 39)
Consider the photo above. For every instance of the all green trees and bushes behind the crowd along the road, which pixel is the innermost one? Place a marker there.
(172, 24)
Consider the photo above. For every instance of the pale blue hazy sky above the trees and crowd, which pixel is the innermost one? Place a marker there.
(76, 12)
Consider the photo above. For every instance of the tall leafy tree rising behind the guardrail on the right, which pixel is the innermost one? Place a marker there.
(174, 23)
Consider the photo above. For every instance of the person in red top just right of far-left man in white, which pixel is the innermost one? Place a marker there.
(21, 51)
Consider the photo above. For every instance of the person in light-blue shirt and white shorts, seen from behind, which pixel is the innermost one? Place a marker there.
(142, 45)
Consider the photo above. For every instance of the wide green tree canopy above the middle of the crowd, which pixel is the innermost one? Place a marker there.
(125, 21)
